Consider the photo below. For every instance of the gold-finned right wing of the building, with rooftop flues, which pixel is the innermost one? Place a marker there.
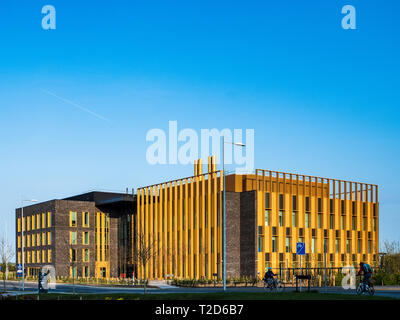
(267, 213)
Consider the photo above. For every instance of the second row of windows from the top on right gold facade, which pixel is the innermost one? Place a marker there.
(294, 220)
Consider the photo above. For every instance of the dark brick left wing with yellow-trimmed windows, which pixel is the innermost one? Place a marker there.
(82, 236)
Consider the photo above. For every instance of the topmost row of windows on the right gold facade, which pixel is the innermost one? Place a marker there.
(307, 205)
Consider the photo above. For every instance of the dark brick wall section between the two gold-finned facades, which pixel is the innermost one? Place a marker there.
(241, 234)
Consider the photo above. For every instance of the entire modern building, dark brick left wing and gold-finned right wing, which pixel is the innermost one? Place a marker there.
(100, 234)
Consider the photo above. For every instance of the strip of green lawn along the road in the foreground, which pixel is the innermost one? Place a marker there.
(206, 296)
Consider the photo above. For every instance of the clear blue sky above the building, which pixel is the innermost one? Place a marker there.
(322, 100)
